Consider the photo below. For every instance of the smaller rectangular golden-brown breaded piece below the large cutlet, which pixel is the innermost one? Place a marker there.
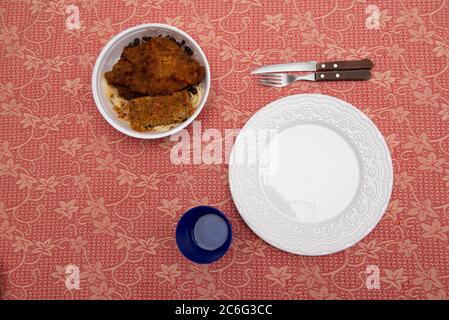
(146, 113)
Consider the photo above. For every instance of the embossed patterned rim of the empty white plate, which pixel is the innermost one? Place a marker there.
(378, 177)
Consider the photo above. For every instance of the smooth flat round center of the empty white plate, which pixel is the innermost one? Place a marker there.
(316, 173)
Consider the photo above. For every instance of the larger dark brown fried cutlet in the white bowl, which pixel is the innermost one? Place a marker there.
(156, 67)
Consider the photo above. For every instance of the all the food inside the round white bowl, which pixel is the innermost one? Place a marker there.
(156, 84)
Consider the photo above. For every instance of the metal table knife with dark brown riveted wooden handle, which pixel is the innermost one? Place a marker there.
(316, 66)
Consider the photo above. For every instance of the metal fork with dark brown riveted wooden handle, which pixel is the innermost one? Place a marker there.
(283, 79)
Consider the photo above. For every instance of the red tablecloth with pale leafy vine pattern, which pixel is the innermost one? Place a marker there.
(76, 191)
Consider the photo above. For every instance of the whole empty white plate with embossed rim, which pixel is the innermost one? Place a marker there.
(310, 174)
